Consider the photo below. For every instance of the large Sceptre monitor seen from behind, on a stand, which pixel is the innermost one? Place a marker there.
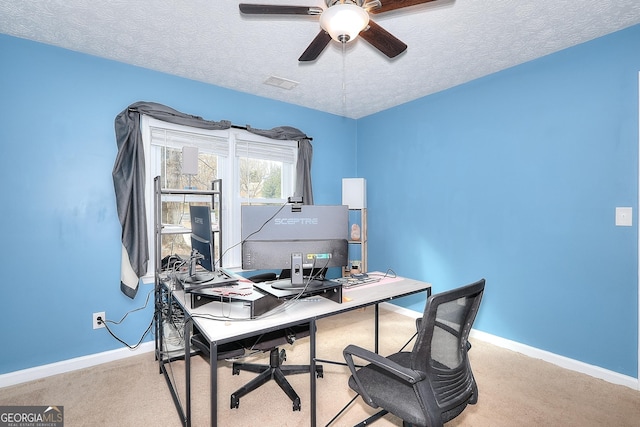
(296, 237)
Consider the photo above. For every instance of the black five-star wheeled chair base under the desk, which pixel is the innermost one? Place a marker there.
(274, 371)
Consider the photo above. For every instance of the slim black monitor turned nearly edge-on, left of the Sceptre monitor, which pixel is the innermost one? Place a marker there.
(202, 250)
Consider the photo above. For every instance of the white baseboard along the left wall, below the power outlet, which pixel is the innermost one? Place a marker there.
(18, 377)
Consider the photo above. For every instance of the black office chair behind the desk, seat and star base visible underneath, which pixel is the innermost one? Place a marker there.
(275, 369)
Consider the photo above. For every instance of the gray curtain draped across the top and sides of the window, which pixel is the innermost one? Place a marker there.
(129, 179)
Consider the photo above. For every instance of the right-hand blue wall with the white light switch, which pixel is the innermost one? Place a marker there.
(515, 177)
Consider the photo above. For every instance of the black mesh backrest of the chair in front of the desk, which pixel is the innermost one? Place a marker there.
(441, 348)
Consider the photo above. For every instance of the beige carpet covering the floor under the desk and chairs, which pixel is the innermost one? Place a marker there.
(514, 390)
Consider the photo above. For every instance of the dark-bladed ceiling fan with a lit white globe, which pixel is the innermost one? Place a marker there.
(343, 21)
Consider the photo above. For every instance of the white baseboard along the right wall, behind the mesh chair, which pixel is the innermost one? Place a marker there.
(563, 362)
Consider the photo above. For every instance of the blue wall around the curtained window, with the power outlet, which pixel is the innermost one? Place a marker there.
(59, 226)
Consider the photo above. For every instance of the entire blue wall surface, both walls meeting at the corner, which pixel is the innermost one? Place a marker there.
(514, 177)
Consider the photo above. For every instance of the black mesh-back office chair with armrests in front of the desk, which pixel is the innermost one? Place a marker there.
(433, 383)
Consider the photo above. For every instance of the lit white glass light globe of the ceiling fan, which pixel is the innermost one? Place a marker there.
(344, 21)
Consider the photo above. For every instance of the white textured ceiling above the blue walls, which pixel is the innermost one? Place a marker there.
(450, 42)
